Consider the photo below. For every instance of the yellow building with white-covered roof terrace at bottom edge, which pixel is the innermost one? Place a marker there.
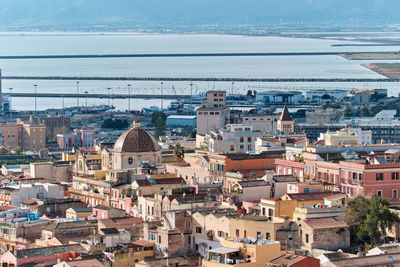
(243, 253)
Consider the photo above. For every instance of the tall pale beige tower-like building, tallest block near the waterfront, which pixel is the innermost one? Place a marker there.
(213, 113)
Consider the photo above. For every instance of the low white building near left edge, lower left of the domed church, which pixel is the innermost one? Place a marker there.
(42, 191)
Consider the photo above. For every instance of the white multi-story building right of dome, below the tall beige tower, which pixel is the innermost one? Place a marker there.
(235, 138)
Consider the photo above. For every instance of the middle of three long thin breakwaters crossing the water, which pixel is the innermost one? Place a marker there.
(200, 79)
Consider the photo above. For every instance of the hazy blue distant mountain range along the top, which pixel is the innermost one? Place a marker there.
(151, 13)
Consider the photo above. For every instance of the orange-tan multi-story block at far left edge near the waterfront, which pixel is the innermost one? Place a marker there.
(27, 135)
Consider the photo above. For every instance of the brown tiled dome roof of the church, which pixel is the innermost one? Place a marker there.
(136, 140)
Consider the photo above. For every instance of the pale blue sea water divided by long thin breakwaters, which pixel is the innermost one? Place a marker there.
(76, 43)
